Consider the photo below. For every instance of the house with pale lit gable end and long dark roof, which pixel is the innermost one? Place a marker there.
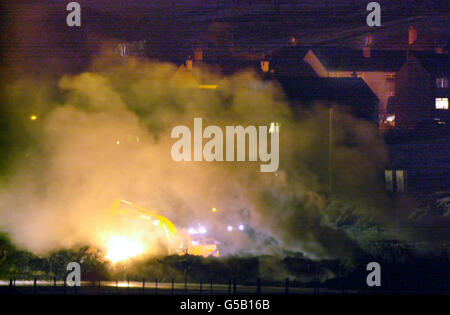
(377, 68)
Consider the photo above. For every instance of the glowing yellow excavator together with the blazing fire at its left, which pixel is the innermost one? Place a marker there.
(132, 230)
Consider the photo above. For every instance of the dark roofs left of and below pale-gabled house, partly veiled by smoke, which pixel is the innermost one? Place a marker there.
(300, 90)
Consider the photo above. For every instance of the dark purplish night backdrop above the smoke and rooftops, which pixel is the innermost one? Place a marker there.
(36, 34)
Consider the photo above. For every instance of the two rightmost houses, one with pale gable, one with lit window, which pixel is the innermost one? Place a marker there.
(411, 86)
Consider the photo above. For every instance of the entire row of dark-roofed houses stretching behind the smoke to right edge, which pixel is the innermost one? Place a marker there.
(394, 88)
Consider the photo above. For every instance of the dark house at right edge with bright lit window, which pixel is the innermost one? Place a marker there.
(422, 90)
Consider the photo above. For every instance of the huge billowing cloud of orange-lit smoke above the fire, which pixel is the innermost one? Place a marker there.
(105, 134)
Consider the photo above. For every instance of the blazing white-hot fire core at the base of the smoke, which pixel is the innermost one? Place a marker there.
(122, 248)
